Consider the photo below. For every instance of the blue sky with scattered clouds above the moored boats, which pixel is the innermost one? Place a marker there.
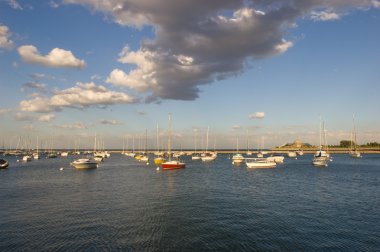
(250, 72)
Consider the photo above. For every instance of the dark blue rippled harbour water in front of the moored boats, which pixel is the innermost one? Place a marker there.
(128, 206)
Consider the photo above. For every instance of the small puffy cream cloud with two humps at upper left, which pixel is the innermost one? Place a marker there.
(56, 58)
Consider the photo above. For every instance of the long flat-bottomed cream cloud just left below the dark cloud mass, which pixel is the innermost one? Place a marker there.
(83, 95)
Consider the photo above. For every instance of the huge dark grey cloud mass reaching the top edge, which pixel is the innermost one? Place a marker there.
(197, 42)
